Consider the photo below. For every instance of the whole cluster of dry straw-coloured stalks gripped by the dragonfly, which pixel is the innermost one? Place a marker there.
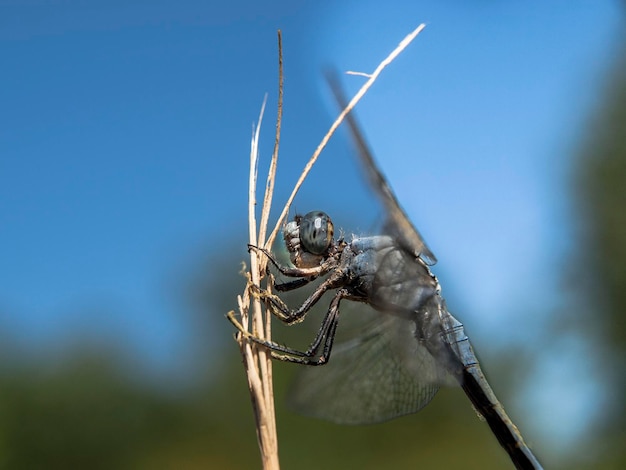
(257, 361)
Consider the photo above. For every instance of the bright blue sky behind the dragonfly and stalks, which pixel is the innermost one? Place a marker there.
(124, 140)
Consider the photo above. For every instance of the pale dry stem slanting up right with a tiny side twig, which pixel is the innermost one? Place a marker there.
(372, 78)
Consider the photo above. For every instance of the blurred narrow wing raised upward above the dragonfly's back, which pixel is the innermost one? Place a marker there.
(397, 224)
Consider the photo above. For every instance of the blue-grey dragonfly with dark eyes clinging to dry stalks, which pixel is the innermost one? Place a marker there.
(396, 363)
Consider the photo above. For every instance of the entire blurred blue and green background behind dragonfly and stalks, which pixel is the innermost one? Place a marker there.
(124, 147)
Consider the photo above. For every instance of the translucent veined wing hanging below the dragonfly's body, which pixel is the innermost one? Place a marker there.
(381, 372)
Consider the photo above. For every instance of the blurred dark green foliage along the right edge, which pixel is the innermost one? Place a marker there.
(601, 189)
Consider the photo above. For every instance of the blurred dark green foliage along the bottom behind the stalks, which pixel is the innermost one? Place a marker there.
(84, 413)
